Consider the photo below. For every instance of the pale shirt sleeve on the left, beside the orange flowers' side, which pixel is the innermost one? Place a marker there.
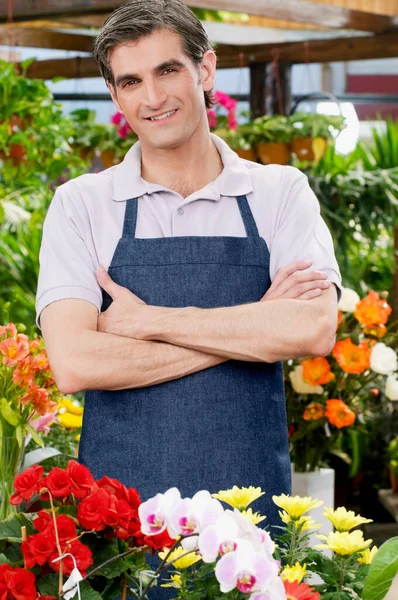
(67, 269)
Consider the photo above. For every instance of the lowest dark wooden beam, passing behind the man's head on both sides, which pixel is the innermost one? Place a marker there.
(341, 49)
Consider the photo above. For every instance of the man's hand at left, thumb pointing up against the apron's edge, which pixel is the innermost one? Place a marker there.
(125, 313)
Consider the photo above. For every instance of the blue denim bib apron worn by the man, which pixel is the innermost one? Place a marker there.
(223, 426)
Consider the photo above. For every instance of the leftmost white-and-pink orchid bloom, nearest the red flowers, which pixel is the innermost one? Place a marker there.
(154, 513)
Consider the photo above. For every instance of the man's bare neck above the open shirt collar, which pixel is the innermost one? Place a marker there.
(184, 169)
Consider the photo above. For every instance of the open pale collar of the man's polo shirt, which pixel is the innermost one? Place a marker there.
(234, 180)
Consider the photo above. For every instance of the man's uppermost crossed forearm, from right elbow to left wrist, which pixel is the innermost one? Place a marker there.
(262, 331)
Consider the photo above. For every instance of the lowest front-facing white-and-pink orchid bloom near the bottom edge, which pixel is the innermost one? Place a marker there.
(245, 569)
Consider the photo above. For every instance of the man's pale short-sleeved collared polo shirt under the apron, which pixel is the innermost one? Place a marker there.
(85, 219)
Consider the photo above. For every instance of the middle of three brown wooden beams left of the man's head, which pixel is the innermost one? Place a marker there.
(46, 38)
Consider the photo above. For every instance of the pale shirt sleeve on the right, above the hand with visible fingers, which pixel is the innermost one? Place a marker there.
(301, 233)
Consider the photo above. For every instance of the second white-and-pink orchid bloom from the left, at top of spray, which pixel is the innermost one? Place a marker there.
(193, 516)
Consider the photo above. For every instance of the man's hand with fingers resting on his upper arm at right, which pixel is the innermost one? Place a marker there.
(296, 281)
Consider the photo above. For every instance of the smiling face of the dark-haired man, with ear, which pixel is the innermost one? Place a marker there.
(159, 89)
